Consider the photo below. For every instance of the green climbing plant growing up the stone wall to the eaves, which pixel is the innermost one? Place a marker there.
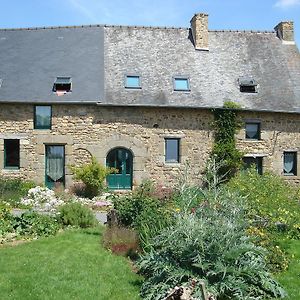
(224, 150)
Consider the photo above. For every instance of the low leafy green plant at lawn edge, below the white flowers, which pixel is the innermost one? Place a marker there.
(34, 224)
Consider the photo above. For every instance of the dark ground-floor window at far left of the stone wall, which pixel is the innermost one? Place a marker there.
(11, 154)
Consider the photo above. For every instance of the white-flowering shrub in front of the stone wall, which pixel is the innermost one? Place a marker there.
(42, 199)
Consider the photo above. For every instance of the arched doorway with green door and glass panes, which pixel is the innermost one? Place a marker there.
(122, 161)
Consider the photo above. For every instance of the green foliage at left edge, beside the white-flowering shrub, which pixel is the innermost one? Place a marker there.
(12, 190)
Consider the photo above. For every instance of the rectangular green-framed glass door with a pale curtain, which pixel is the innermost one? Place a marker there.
(55, 166)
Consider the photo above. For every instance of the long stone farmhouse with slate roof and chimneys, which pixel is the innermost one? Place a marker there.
(139, 99)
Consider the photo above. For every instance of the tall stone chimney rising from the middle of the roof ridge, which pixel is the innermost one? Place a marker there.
(199, 26)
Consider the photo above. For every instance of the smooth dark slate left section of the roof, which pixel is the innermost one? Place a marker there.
(31, 59)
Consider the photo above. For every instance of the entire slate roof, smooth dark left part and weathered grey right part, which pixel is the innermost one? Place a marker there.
(98, 58)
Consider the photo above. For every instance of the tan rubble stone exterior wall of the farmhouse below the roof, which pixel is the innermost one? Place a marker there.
(94, 130)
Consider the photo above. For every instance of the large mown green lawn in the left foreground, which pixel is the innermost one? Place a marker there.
(72, 265)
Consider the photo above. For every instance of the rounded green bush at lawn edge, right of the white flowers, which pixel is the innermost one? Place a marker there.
(76, 214)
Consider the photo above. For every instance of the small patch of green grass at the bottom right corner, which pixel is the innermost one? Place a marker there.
(290, 279)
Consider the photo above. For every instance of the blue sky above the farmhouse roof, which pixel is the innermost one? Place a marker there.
(223, 14)
